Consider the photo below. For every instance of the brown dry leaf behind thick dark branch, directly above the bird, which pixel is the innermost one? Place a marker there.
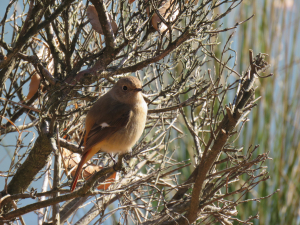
(92, 14)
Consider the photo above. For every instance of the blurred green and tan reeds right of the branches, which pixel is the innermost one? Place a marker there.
(275, 123)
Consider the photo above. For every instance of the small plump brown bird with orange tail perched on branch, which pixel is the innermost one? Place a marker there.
(115, 122)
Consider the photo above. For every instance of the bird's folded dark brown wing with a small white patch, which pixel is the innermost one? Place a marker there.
(116, 118)
